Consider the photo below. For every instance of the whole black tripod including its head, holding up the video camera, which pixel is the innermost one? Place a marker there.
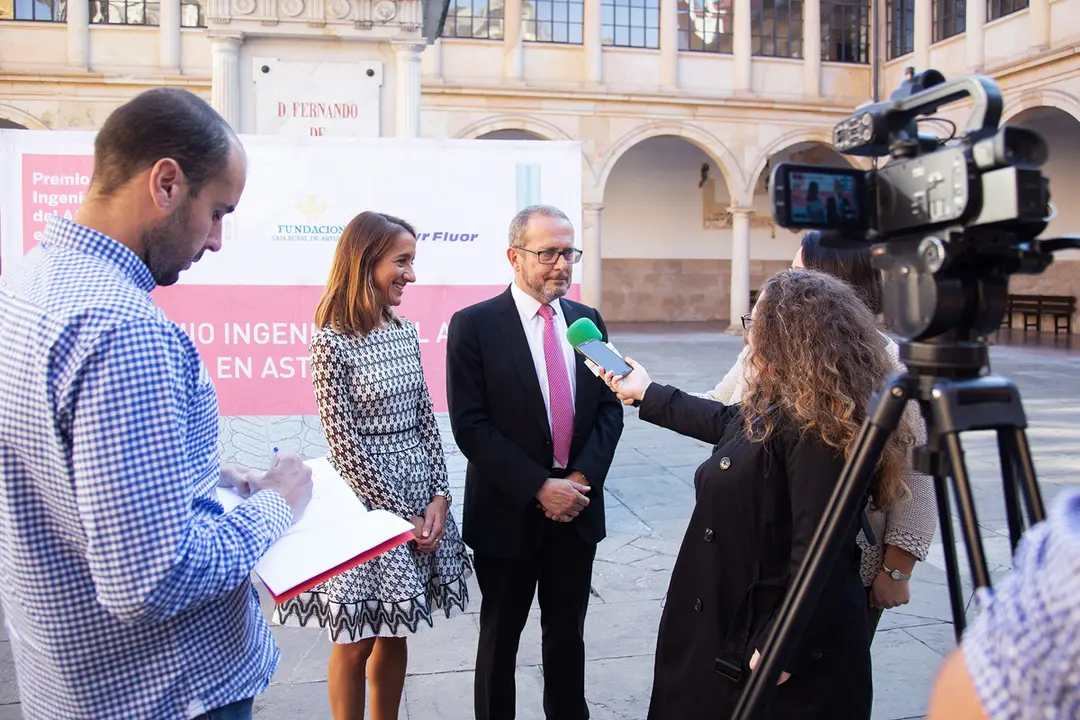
(953, 313)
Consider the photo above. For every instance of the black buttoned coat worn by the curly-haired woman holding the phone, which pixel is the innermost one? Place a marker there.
(758, 509)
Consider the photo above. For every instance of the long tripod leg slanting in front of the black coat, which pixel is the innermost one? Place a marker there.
(847, 500)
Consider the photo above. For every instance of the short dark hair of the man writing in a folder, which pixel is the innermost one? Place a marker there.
(164, 123)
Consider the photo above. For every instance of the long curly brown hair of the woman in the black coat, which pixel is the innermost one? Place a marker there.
(817, 357)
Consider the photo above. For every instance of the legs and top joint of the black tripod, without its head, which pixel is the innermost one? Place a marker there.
(949, 407)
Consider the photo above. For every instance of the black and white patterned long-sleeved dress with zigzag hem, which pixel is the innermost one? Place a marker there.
(385, 442)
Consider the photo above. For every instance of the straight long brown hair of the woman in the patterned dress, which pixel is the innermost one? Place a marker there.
(350, 303)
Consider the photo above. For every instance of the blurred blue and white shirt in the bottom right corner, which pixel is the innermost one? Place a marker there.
(1023, 649)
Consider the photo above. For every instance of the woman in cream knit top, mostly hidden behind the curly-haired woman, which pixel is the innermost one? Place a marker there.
(904, 533)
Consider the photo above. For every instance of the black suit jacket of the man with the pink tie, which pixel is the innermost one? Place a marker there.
(501, 424)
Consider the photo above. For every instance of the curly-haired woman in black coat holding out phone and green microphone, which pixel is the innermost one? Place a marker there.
(817, 358)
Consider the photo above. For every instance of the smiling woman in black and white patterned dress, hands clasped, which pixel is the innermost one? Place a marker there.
(385, 442)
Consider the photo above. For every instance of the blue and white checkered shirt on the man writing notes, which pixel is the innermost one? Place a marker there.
(126, 589)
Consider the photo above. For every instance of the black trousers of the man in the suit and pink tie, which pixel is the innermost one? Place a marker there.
(562, 568)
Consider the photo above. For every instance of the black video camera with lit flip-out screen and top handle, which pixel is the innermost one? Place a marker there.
(990, 179)
